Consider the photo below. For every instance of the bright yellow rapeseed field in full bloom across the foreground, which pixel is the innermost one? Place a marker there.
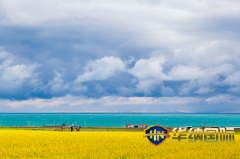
(53, 144)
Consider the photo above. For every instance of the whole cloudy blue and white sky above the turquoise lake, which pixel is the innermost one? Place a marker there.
(120, 56)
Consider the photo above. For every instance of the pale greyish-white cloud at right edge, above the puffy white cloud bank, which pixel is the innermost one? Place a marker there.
(208, 53)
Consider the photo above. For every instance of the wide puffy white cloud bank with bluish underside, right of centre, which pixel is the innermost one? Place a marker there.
(149, 73)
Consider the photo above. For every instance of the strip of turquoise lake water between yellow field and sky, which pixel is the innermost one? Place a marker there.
(118, 119)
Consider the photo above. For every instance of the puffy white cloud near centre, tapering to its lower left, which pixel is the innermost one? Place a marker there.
(101, 69)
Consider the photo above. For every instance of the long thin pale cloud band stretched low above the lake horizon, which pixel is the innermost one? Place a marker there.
(70, 100)
